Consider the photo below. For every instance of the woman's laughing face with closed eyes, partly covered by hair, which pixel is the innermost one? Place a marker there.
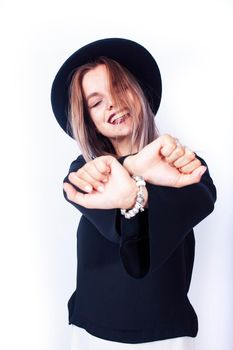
(109, 121)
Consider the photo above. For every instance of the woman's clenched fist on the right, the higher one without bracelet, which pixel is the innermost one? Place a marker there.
(167, 163)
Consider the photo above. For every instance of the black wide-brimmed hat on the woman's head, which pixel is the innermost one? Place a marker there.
(127, 52)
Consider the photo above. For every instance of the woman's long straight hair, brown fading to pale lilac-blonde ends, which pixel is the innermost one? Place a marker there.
(91, 142)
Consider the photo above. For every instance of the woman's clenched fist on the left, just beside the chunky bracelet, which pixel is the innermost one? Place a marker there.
(119, 191)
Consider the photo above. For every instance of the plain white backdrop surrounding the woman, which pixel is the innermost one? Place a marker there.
(192, 43)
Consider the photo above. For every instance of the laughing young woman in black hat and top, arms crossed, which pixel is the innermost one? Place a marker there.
(140, 195)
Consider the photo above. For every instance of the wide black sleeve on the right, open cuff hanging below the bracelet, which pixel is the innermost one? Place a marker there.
(171, 214)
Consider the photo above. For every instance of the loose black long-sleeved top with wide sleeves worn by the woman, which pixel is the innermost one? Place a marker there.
(133, 275)
